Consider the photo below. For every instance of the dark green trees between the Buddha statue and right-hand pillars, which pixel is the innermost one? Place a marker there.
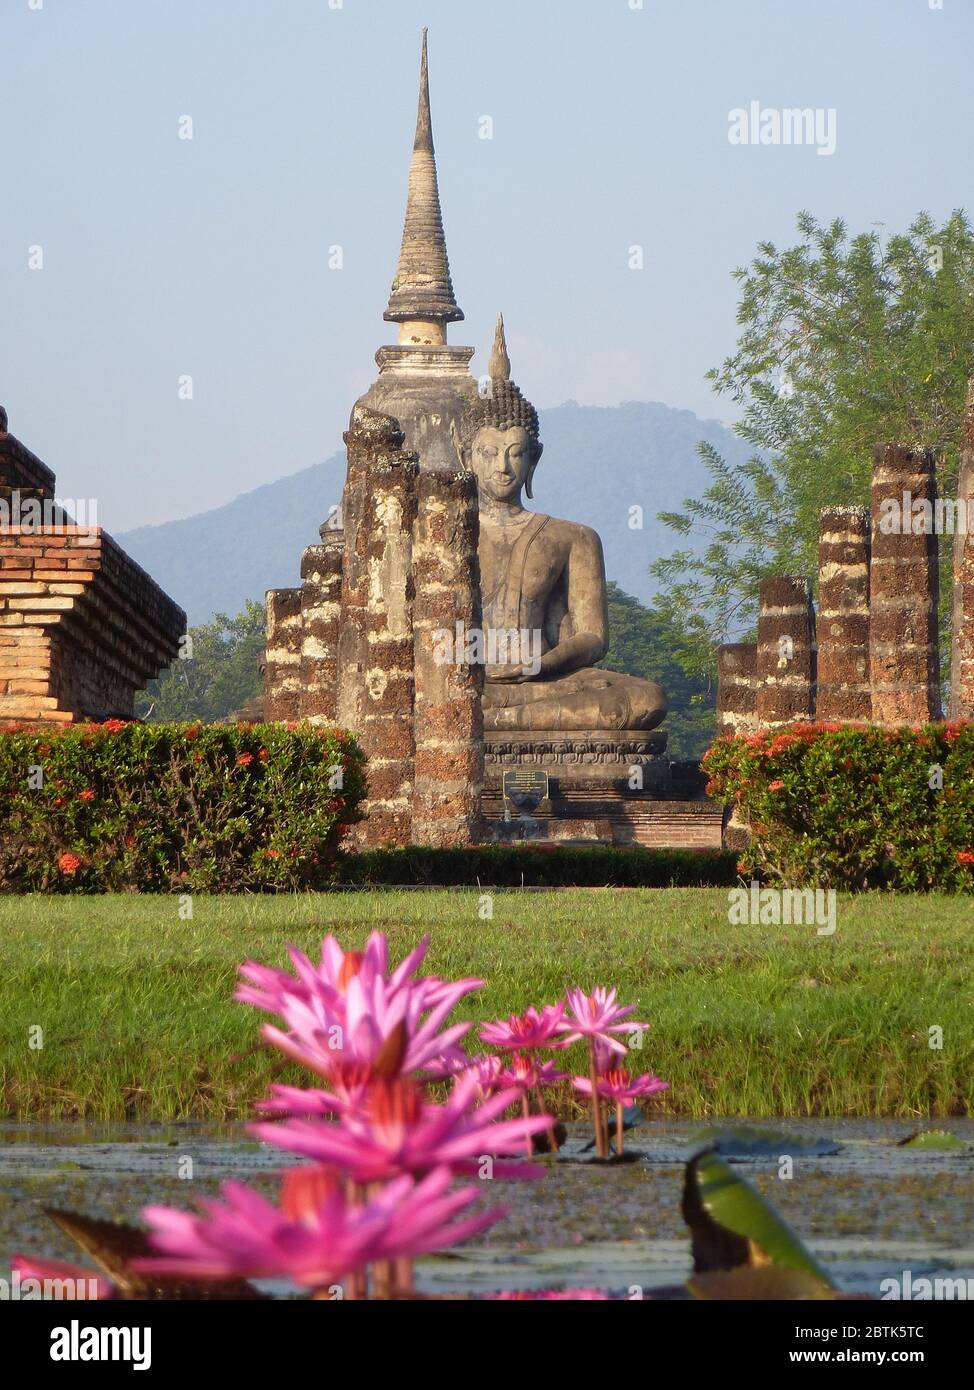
(645, 643)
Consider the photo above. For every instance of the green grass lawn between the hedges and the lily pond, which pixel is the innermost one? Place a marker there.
(138, 1017)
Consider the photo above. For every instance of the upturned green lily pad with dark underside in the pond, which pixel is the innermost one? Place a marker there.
(732, 1225)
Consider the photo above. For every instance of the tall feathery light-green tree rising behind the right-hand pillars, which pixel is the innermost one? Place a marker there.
(845, 343)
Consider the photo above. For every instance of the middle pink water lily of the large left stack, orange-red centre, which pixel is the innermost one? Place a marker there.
(398, 1131)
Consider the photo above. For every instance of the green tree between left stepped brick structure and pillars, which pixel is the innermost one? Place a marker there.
(219, 676)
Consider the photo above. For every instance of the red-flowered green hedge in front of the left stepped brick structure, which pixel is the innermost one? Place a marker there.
(174, 808)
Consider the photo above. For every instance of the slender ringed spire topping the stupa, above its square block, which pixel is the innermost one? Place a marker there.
(422, 301)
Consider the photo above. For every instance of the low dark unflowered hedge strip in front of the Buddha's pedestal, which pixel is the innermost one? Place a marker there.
(540, 867)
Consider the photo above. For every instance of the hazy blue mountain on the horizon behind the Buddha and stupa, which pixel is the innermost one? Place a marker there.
(598, 464)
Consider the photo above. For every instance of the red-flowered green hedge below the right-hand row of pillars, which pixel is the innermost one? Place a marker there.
(854, 808)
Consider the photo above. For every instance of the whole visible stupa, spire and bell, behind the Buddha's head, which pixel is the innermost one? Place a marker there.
(423, 382)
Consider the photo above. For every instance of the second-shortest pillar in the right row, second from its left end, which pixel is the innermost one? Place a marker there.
(786, 653)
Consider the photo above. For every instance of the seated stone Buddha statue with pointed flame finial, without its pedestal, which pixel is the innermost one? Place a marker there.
(544, 590)
